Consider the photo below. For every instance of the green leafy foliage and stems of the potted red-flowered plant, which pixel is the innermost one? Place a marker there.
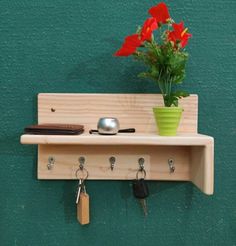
(166, 66)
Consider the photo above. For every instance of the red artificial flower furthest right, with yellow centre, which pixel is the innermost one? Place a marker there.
(179, 35)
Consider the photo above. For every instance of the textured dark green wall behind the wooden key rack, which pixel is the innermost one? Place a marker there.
(67, 46)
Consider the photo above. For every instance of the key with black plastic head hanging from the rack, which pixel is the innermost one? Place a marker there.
(141, 192)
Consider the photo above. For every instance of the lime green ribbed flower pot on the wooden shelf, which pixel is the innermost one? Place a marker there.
(167, 119)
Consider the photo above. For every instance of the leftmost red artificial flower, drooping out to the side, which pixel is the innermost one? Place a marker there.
(130, 45)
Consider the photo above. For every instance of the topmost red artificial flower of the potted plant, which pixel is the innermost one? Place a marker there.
(160, 13)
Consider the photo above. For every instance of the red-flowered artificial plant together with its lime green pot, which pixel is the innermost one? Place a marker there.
(165, 57)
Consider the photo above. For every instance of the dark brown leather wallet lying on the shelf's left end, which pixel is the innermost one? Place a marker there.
(54, 129)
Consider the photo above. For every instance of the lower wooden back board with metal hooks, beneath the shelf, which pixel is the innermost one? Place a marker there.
(126, 165)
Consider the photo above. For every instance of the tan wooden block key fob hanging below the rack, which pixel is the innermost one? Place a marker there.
(83, 209)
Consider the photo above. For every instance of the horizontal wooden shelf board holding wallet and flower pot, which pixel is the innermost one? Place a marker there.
(119, 139)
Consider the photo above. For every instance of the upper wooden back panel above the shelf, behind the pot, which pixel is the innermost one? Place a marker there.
(132, 110)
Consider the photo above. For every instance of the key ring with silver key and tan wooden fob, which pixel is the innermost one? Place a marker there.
(82, 200)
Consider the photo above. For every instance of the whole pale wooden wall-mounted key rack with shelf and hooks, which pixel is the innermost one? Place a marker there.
(185, 157)
